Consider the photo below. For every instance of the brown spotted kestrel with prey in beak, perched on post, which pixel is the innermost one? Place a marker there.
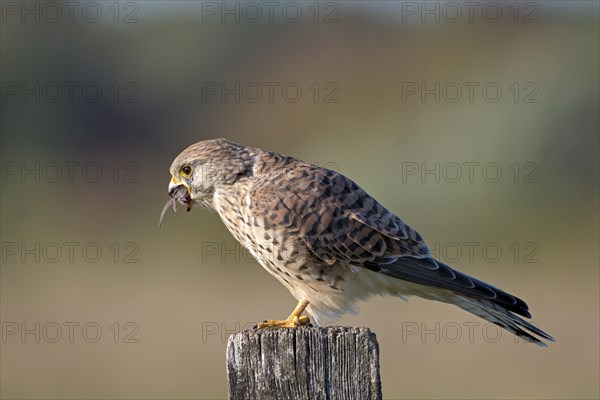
(325, 239)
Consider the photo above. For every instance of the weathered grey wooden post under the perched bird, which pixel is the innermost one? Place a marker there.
(303, 363)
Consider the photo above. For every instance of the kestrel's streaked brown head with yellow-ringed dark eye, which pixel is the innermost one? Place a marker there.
(204, 167)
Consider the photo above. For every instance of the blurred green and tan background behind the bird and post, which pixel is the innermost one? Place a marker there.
(166, 300)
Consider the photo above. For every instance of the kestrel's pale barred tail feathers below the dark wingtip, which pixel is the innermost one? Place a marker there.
(498, 315)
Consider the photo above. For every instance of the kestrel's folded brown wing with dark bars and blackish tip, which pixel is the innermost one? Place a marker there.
(339, 222)
